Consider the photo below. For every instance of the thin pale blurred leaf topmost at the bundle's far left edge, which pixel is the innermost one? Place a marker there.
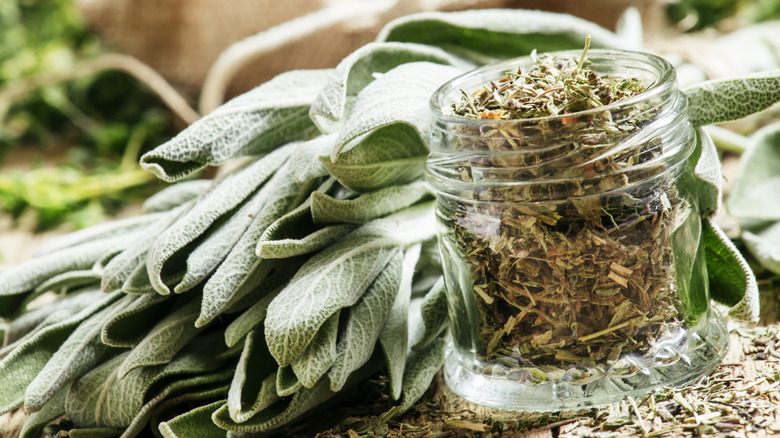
(100, 231)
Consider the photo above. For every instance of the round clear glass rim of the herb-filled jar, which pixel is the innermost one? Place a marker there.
(665, 81)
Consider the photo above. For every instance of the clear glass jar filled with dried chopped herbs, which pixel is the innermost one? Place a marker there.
(571, 245)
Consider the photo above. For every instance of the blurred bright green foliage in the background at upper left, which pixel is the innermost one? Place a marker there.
(98, 124)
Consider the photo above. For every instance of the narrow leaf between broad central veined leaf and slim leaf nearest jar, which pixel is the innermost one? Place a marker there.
(364, 324)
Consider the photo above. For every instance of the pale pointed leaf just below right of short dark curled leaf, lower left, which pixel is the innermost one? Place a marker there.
(166, 339)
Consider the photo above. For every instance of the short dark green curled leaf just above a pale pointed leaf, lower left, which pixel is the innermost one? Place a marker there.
(128, 327)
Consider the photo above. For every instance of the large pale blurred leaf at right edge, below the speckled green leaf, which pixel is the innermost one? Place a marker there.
(754, 192)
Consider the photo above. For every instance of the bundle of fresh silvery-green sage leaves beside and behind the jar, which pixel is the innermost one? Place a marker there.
(235, 306)
